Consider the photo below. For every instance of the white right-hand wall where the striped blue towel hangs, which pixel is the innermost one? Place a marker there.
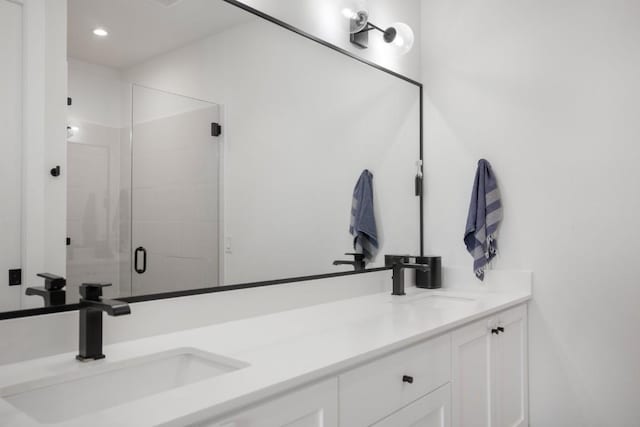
(549, 93)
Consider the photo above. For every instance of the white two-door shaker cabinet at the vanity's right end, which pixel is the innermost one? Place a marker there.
(489, 371)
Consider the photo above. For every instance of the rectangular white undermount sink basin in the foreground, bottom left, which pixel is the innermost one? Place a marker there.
(93, 389)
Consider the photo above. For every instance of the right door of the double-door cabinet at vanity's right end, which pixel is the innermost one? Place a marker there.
(511, 369)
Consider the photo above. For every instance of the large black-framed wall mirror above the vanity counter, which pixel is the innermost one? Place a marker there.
(208, 146)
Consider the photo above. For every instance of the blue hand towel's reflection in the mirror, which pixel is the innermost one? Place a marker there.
(363, 220)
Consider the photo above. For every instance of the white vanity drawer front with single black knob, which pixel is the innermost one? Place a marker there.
(375, 390)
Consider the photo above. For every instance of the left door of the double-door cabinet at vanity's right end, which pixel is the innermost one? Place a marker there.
(471, 375)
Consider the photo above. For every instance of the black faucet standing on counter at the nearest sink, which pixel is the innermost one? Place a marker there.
(91, 307)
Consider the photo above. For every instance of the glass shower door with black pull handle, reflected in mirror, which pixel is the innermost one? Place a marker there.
(175, 189)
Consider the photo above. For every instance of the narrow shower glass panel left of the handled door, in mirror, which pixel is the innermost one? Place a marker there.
(93, 209)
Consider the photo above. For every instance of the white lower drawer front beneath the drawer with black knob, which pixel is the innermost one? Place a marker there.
(433, 410)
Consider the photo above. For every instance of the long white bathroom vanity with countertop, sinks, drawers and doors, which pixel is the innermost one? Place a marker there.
(430, 358)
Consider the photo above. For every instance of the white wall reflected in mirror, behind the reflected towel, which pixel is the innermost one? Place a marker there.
(301, 123)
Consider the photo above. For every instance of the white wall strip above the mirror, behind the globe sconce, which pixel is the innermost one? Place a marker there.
(324, 19)
